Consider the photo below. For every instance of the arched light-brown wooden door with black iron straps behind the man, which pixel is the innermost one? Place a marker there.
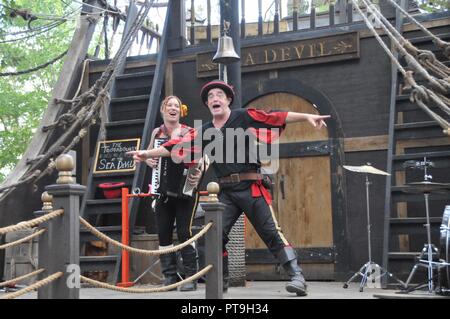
(301, 196)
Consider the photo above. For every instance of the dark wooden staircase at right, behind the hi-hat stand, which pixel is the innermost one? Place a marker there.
(413, 135)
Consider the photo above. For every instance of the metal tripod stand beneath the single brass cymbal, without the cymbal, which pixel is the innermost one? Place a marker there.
(368, 269)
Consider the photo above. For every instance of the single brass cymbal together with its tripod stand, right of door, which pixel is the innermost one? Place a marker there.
(370, 268)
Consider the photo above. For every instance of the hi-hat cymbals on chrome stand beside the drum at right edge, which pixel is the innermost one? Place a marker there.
(429, 255)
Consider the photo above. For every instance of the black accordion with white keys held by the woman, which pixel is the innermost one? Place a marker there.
(169, 178)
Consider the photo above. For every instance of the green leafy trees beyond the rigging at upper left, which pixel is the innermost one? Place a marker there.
(31, 33)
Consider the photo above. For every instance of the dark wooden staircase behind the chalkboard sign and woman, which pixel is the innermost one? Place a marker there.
(132, 113)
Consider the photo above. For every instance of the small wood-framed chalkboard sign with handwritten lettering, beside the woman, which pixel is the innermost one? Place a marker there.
(111, 156)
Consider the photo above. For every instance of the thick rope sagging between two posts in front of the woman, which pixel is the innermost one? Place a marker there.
(102, 236)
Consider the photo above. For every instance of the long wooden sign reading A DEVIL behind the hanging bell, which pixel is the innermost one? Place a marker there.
(288, 54)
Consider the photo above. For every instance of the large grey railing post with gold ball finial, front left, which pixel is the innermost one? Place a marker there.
(61, 243)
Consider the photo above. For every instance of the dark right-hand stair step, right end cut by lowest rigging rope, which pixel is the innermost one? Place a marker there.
(417, 130)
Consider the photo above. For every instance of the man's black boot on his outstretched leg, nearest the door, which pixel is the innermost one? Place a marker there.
(288, 259)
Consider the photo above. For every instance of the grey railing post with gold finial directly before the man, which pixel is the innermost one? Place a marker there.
(213, 243)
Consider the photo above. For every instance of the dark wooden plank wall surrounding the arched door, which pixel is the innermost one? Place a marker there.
(359, 91)
